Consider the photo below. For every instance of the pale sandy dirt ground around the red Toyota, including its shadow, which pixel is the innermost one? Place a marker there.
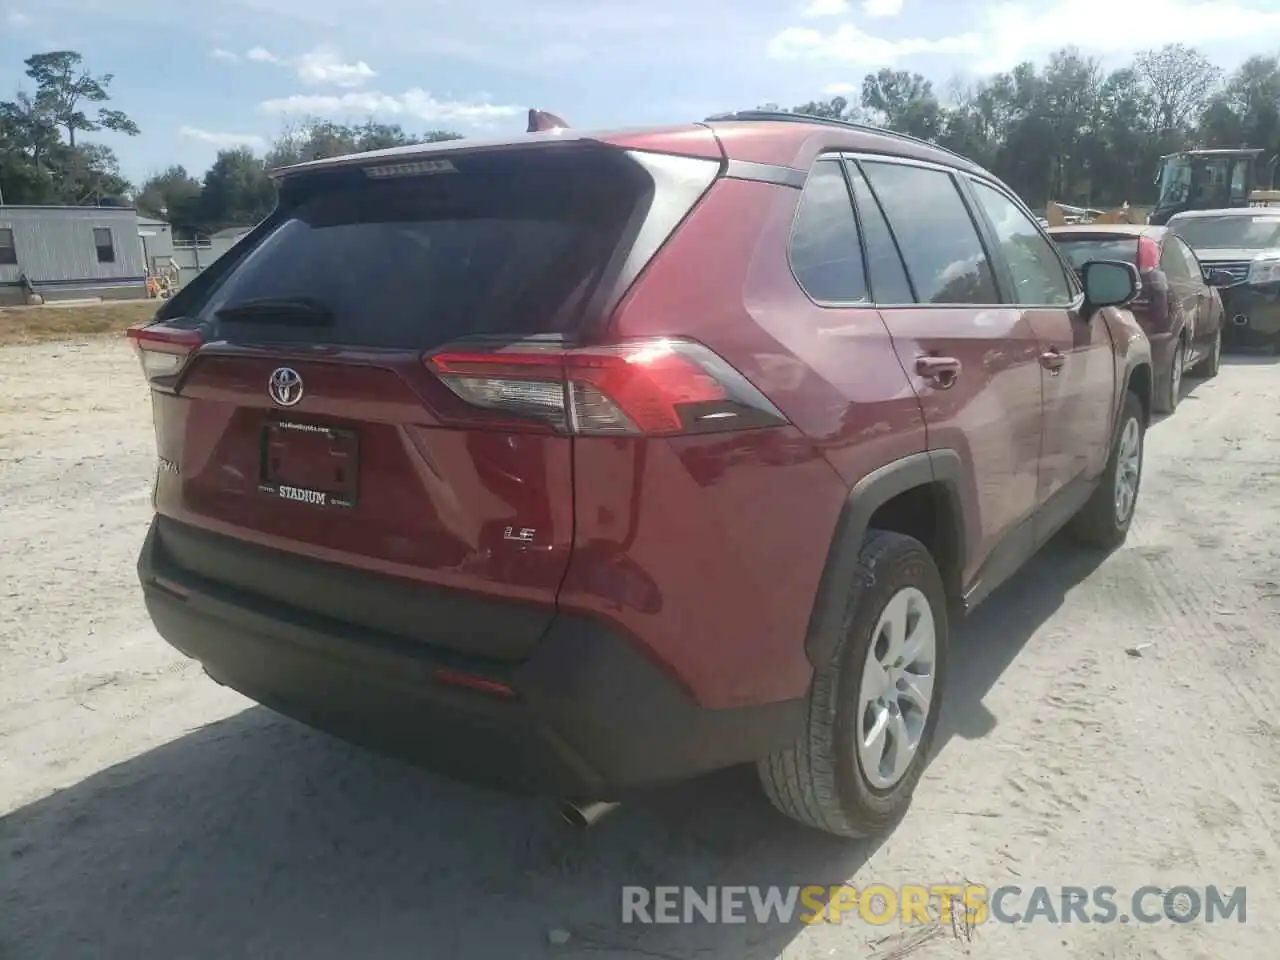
(149, 813)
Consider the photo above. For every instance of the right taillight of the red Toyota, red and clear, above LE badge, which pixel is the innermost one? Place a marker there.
(657, 387)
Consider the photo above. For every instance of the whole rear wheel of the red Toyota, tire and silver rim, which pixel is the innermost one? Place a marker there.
(875, 708)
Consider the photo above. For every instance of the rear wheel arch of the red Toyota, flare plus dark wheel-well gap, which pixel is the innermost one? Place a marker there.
(921, 496)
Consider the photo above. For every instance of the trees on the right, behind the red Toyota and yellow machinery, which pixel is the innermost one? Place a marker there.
(1073, 132)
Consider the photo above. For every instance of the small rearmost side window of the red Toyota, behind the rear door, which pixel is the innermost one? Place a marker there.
(826, 255)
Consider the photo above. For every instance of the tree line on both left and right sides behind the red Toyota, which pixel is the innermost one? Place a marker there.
(1068, 131)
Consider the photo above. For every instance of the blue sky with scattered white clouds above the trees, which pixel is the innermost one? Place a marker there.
(198, 77)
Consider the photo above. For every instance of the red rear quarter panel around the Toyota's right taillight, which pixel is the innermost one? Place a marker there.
(711, 548)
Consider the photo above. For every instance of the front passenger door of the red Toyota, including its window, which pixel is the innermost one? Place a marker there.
(1078, 371)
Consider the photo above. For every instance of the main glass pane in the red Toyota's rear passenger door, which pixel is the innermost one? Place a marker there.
(939, 240)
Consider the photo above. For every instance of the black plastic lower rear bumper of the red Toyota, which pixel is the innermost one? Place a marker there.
(591, 717)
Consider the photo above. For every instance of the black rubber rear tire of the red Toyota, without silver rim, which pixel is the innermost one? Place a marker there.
(820, 780)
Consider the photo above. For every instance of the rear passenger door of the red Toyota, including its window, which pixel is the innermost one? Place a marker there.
(971, 359)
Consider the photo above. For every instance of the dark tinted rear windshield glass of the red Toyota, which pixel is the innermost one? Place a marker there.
(508, 245)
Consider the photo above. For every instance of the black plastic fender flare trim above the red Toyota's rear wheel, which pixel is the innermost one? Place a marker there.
(943, 468)
